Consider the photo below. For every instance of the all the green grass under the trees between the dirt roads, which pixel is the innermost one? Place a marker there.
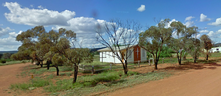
(88, 84)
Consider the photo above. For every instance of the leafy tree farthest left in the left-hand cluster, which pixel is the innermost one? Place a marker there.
(30, 42)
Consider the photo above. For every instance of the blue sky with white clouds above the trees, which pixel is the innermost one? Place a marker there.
(81, 16)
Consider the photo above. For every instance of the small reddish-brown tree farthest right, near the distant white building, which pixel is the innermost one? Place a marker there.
(206, 44)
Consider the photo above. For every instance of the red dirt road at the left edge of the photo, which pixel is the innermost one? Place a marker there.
(9, 75)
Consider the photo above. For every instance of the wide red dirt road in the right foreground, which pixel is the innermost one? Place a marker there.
(201, 82)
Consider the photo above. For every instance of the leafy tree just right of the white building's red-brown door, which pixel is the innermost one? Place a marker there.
(155, 38)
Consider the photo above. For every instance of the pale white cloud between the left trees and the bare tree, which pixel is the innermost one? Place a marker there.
(85, 29)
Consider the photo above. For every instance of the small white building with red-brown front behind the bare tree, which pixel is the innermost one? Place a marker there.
(138, 54)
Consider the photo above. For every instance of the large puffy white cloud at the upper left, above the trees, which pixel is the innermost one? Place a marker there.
(36, 17)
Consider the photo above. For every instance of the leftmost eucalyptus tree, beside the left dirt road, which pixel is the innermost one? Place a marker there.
(29, 40)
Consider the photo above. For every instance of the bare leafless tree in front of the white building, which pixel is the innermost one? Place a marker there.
(116, 33)
